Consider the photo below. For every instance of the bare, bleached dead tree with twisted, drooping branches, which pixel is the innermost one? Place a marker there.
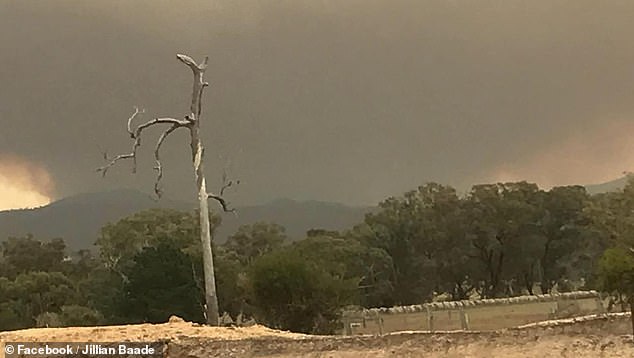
(192, 123)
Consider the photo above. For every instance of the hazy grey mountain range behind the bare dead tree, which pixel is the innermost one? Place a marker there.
(77, 219)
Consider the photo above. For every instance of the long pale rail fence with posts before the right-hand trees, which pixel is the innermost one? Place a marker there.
(486, 314)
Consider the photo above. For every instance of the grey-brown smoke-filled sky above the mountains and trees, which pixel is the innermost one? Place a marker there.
(348, 101)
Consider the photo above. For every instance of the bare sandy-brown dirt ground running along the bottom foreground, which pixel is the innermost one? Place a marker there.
(602, 336)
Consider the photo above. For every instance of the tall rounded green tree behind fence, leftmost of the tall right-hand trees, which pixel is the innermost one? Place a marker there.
(424, 232)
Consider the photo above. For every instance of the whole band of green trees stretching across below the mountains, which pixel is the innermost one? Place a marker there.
(498, 240)
